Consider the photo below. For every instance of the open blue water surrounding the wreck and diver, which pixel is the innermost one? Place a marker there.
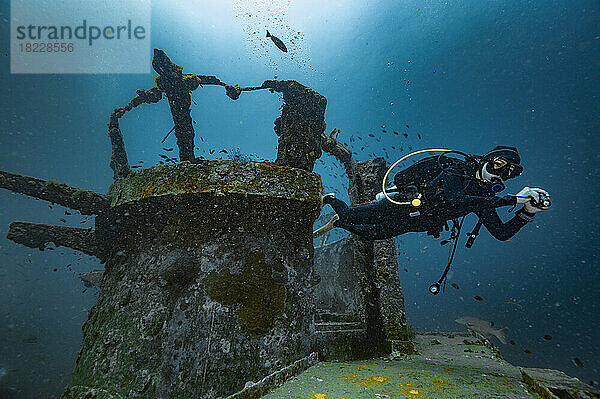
(464, 75)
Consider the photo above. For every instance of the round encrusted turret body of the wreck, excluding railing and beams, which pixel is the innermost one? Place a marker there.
(206, 283)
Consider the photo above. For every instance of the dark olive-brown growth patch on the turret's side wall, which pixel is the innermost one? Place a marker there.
(259, 298)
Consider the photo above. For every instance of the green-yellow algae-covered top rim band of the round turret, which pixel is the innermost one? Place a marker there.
(217, 177)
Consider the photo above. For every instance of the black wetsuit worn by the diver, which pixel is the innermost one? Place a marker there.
(445, 196)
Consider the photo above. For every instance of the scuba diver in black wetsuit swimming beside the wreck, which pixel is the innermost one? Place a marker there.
(438, 189)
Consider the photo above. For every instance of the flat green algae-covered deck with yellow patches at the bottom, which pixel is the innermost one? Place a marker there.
(440, 371)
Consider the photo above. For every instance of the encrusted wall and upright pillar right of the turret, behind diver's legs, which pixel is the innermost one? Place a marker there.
(360, 307)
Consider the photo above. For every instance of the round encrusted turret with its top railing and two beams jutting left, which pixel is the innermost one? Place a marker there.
(208, 264)
